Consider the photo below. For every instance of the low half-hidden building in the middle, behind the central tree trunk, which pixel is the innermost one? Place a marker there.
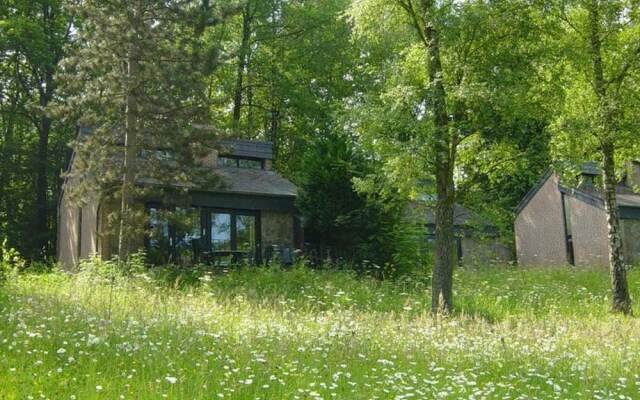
(477, 241)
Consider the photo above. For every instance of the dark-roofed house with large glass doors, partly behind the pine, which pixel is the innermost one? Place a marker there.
(248, 216)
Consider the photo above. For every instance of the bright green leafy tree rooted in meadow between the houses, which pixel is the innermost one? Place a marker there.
(443, 70)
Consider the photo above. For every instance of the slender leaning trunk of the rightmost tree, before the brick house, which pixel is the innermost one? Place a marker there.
(621, 302)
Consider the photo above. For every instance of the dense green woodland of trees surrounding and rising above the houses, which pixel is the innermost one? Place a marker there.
(369, 104)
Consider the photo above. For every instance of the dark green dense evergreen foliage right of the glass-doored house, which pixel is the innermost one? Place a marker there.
(359, 227)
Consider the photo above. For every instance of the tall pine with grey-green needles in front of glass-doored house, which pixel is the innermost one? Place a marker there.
(136, 81)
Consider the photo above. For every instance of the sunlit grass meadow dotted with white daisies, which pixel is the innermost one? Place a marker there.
(302, 334)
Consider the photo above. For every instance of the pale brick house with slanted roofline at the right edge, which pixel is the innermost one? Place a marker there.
(557, 223)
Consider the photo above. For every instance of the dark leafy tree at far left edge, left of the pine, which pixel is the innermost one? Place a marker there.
(33, 40)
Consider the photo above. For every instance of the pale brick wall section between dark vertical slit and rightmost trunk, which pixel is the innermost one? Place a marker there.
(589, 233)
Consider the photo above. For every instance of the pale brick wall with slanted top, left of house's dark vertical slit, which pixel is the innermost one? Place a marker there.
(539, 228)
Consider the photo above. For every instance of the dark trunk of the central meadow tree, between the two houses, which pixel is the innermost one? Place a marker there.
(442, 279)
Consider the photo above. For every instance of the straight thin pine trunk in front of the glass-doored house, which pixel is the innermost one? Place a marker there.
(130, 155)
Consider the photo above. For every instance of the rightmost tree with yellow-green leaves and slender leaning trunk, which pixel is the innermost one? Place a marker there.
(598, 121)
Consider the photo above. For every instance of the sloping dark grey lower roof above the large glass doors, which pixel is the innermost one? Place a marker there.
(255, 182)
